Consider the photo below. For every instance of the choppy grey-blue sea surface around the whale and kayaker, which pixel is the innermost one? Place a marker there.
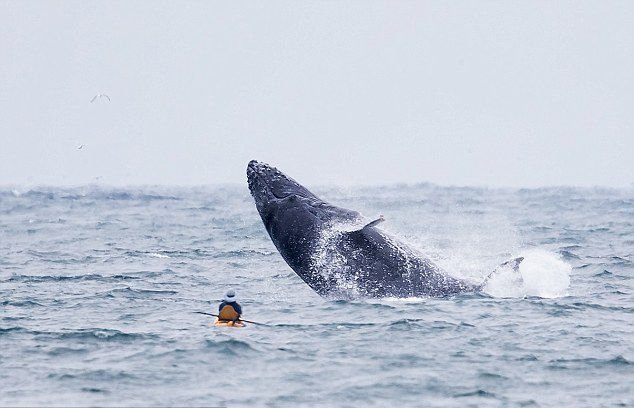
(98, 289)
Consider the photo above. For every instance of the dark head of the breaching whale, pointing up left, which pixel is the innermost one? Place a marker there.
(285, 205)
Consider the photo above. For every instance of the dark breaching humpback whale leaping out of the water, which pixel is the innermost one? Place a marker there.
(338, 254)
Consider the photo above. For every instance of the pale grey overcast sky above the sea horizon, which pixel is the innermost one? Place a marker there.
(497, 93)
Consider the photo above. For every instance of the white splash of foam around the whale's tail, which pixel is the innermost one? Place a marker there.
(541, 274)
